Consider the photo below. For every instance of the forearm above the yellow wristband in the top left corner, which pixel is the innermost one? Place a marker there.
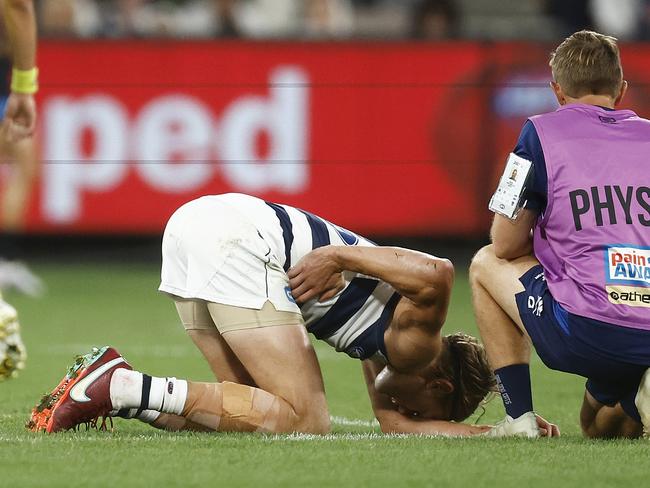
(21, 30)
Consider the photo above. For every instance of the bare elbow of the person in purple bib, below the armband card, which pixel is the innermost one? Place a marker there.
(513, 238)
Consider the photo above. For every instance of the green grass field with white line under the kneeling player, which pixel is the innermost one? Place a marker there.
(97, 304)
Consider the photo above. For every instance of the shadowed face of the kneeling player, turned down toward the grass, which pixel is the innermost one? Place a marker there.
(413, 395)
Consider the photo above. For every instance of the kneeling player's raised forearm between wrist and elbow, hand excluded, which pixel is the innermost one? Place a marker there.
(413, 274)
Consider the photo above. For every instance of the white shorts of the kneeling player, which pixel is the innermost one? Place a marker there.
(213, 253)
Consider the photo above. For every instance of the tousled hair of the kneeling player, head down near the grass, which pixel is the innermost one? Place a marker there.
(468, 369)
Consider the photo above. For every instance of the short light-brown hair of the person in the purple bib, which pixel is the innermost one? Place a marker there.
(588, 63)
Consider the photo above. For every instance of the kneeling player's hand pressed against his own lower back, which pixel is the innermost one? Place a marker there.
(316, 275)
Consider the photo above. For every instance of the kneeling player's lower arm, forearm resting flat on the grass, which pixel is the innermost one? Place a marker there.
(393, 422)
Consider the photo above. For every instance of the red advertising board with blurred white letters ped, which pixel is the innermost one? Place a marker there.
(392, 139)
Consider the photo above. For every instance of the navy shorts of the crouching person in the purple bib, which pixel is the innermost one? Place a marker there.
(611, 357)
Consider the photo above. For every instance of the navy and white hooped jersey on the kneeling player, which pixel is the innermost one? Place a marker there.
(355, 319)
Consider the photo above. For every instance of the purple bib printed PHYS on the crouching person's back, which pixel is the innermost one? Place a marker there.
(593, 239)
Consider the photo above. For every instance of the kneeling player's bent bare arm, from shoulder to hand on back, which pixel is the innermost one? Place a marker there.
(424, 282)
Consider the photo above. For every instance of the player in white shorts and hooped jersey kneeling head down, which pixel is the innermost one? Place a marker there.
(249, 279)
